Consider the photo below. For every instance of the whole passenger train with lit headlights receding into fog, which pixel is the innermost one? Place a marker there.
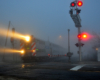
(37, 49)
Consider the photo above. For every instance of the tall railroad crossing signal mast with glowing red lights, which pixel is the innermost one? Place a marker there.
(74, 13)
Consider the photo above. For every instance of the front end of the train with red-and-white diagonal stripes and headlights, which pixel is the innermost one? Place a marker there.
(28, 47)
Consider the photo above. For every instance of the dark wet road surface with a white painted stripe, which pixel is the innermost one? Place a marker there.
(54, 70)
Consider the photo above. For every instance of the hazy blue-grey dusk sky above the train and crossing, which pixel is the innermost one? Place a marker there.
(44, 18)
